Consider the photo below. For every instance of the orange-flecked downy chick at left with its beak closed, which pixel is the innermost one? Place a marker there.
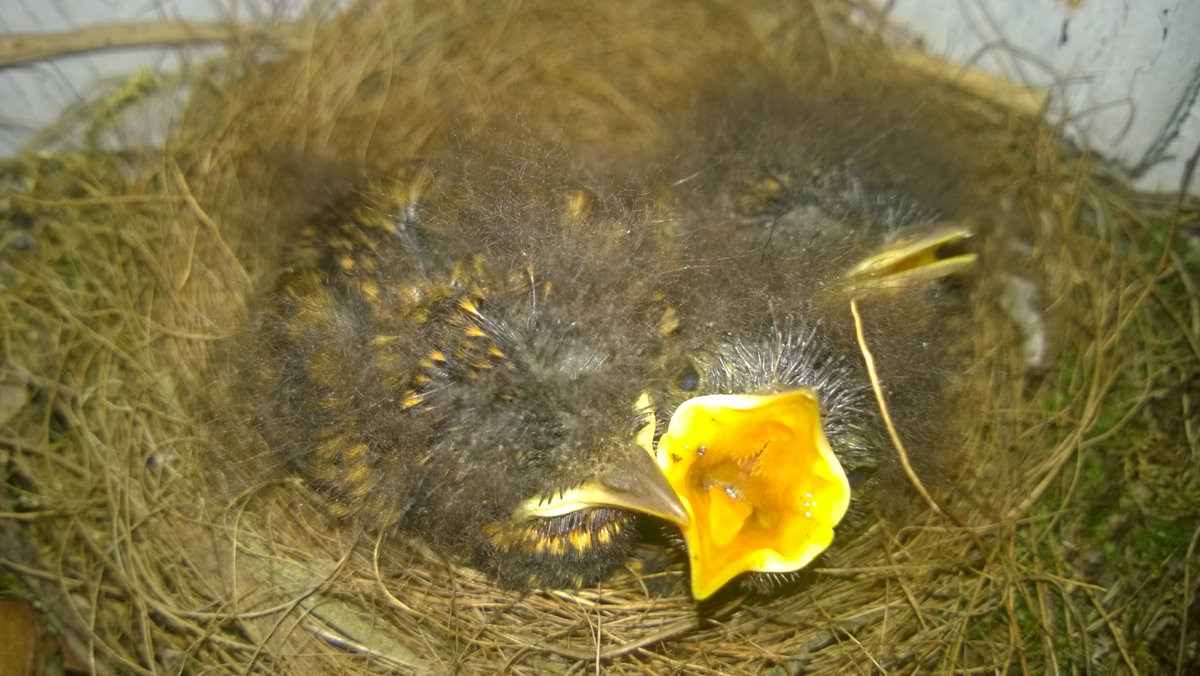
(461, 360)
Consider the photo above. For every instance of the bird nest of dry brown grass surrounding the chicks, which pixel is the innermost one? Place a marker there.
(158, 535)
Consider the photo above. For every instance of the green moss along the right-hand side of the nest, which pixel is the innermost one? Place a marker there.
(1121, 516)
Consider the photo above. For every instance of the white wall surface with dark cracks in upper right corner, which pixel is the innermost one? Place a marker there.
(1124, 75)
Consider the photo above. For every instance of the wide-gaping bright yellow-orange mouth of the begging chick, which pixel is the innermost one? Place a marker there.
(761, 486)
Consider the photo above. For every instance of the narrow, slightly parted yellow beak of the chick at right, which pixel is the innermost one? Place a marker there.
(922, 255)
